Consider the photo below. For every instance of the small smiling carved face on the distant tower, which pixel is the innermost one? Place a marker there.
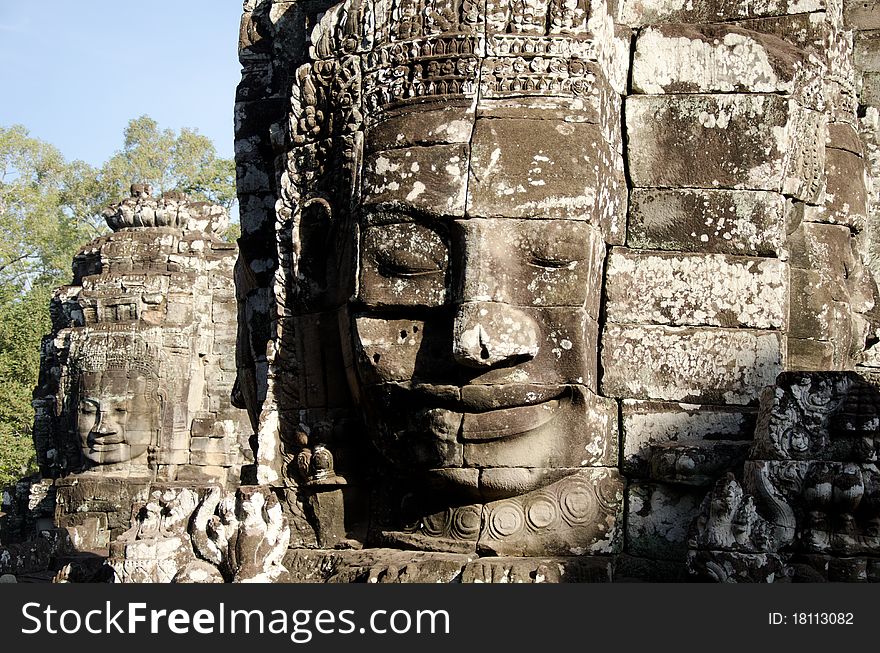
(117, 416)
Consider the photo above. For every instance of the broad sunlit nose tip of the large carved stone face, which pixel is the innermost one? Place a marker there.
(488, 333)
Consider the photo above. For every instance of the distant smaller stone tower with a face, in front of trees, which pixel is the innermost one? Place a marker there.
(136, 377)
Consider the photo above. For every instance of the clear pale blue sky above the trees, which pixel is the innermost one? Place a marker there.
(74, 73)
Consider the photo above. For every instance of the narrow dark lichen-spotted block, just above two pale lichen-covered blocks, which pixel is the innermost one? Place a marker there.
(748, 223)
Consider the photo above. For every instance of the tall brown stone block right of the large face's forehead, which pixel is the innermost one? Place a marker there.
(738, 141)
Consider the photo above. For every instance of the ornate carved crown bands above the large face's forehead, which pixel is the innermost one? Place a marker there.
(437, 50)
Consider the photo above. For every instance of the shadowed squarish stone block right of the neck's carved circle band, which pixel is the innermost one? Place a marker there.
(658, 519)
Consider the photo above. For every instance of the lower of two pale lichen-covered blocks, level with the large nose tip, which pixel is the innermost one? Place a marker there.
(723, 366)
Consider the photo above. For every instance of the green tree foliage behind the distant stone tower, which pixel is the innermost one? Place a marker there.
(51, 207)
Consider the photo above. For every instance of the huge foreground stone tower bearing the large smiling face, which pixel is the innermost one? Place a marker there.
(534, 264)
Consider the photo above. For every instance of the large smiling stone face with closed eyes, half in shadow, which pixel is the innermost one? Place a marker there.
(475, 328)
